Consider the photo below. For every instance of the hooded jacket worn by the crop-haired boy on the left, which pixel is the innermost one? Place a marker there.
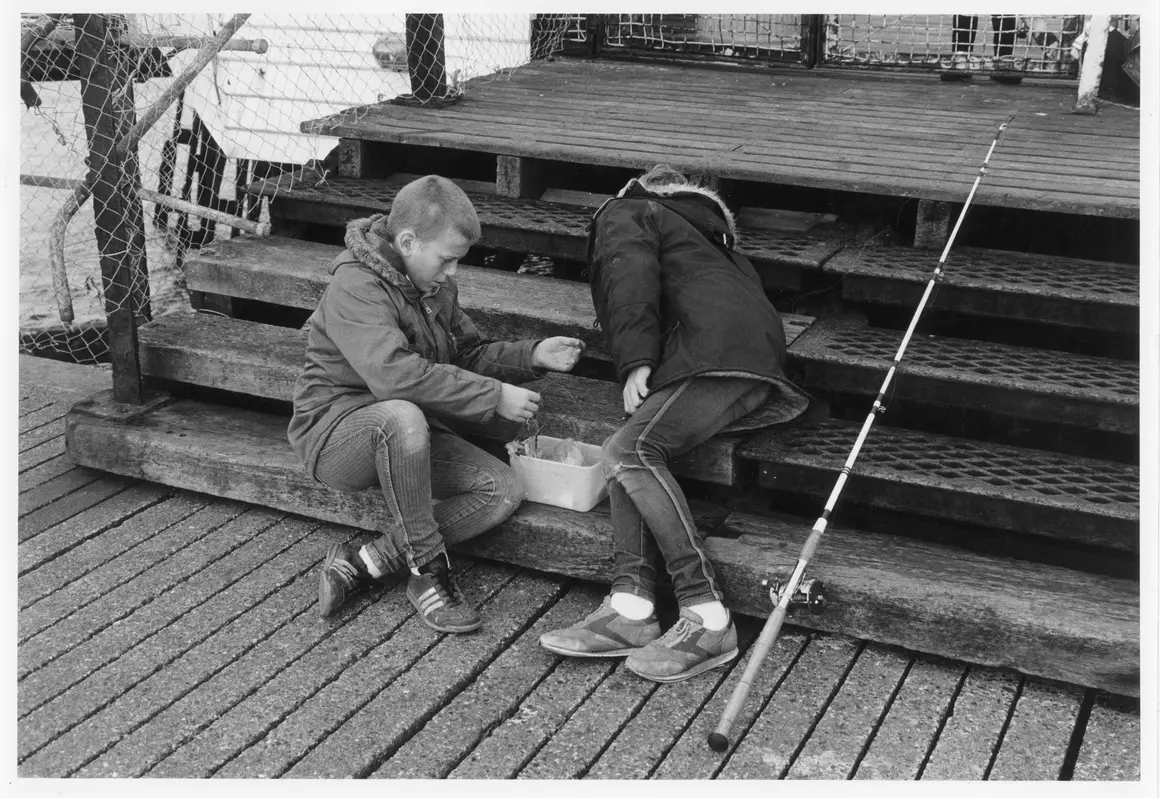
(375, 337)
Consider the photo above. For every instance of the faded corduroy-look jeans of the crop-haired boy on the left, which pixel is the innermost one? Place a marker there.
(390, 445)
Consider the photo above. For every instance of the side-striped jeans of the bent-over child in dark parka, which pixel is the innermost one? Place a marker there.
(650, 513)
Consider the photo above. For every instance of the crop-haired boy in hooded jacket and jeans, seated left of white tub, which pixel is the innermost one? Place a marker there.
(394, 368)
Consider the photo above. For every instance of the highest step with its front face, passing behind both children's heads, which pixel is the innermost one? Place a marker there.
(550, 229)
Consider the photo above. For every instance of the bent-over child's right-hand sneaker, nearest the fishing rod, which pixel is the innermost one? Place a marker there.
(686, 650)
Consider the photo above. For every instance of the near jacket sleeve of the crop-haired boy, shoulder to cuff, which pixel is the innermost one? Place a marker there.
(362, 322)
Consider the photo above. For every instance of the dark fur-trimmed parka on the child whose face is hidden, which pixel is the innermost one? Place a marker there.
(671, 293)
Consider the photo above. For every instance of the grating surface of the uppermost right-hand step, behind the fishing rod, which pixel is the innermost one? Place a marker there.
(995, 270)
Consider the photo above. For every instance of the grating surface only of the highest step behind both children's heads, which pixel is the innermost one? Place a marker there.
(538, 216)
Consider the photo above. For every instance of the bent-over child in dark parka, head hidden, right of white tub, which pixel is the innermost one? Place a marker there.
(700, 350)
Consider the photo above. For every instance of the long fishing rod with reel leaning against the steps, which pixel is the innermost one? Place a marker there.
(811, 593)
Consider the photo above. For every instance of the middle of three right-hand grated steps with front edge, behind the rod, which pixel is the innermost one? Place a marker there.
(1077, 390)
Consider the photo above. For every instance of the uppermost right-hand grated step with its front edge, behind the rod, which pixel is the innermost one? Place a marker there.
(995, 284)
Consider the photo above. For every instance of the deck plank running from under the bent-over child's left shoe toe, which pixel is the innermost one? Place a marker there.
(497, 695)
